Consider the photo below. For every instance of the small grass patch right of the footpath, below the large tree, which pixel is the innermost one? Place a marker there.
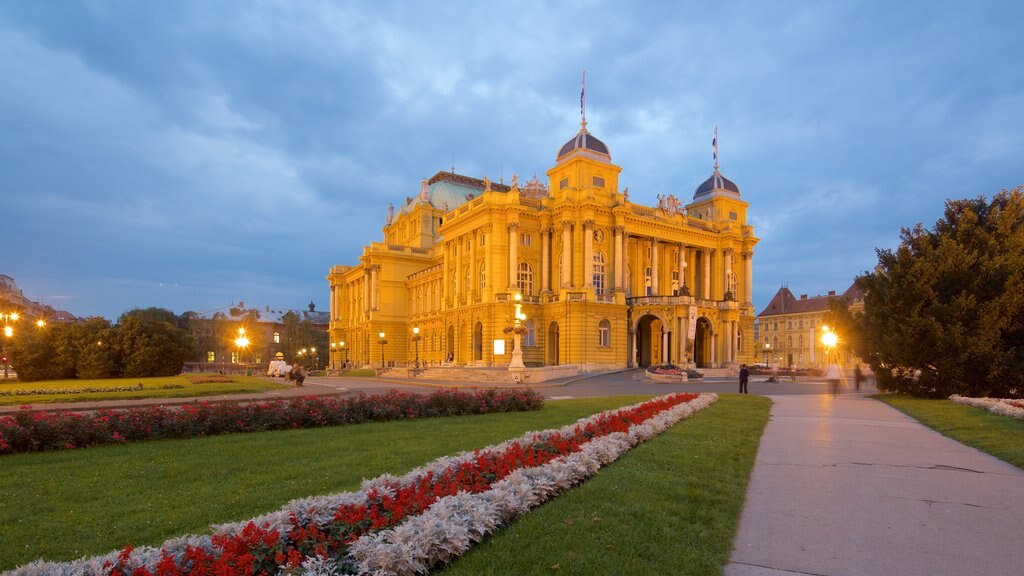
(1000, 436)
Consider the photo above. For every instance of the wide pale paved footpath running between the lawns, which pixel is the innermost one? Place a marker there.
(851, 487)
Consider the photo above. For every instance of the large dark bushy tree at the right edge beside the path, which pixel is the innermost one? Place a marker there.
(945, 313)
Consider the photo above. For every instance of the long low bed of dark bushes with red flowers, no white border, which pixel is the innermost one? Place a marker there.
(30, 431)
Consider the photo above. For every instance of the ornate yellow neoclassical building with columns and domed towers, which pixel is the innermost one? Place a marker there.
(605, 283)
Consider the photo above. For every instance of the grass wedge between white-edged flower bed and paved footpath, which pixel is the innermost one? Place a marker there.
(669, 507)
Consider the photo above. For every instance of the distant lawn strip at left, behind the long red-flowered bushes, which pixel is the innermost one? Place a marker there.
(166, 387)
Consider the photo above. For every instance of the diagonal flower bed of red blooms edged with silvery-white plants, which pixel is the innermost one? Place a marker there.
(404, 525)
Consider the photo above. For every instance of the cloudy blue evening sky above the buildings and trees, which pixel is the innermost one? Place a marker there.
(193, 154)
